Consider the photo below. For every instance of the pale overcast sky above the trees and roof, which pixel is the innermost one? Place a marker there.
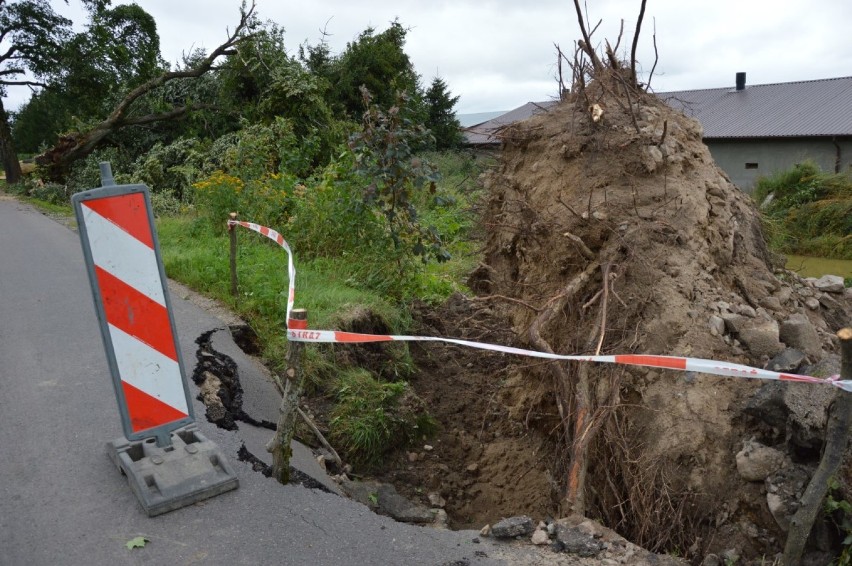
(500, 54)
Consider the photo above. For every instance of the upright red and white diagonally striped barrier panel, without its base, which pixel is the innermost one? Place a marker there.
(131, 301)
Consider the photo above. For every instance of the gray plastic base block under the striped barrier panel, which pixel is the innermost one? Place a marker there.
(164, 479)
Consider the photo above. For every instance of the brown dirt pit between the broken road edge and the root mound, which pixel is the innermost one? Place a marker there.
(486, 462)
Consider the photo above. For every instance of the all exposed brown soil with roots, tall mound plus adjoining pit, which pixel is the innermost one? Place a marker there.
(614, 236)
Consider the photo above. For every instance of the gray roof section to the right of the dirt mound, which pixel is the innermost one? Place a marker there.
(798, 109)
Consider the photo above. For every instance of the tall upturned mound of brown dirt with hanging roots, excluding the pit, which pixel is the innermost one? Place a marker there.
(621, 235)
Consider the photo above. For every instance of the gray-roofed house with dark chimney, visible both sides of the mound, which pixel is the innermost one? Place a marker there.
(751, 131)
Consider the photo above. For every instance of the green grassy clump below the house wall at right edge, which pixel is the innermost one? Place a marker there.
(807, 211)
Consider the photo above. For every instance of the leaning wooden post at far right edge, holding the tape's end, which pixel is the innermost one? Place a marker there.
(836, 438)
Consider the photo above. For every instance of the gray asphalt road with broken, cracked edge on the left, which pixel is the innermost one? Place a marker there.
(62, 502)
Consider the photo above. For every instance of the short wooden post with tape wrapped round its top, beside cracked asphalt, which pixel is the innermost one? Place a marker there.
(279, 445)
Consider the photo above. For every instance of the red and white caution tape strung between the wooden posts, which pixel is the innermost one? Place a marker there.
(297, 331)
